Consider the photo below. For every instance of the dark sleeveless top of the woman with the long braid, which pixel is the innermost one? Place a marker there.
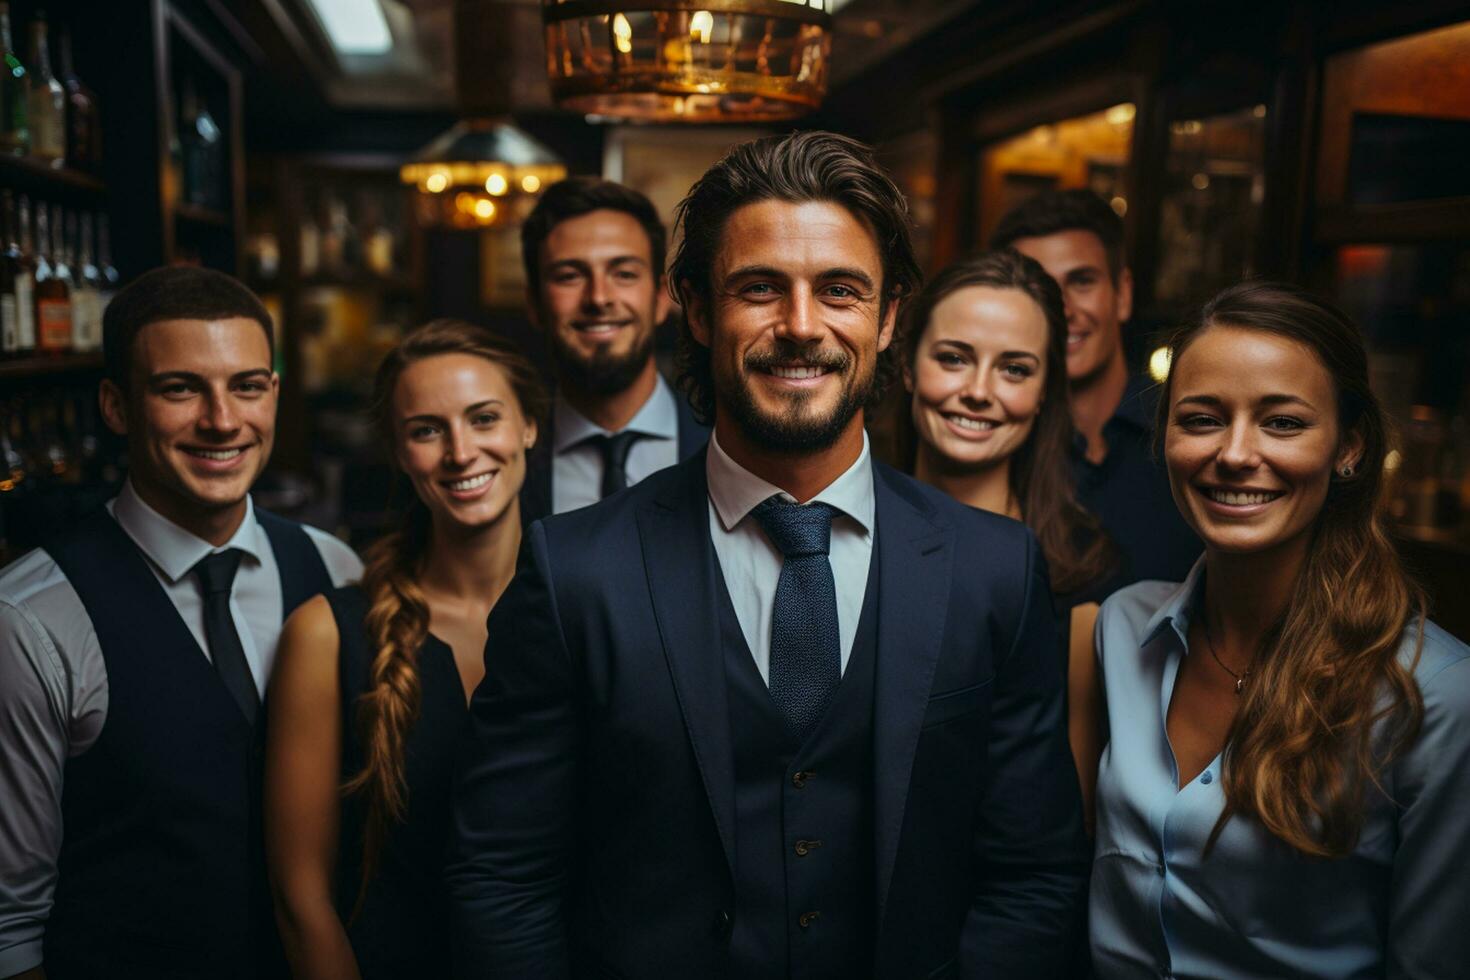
(402, 929)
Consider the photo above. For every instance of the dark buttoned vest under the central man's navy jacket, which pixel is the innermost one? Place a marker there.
(805, 903)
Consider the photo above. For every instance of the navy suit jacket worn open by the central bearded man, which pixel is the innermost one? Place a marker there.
(595, 824)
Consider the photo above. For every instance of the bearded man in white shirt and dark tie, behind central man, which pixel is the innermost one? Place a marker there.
(595, 255)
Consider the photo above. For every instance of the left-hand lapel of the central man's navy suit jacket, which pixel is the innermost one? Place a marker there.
(680, 561)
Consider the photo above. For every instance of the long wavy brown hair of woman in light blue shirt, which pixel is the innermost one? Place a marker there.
(1331, 703)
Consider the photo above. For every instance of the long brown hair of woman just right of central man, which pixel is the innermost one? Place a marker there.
(1078, 552)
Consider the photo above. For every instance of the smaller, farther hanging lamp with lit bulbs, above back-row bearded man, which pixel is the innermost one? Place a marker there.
(481, 173)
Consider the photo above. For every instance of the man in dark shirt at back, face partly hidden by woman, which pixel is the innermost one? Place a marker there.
(1080, 242)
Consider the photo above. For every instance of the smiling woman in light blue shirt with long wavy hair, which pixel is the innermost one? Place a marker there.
(1287, 784)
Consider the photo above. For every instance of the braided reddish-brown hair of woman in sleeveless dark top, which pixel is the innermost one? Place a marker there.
(398, 618)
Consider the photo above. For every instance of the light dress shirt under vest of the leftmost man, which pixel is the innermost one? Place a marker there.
(54, 687)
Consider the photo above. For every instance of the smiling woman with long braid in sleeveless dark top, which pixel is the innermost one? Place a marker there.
(368, 703)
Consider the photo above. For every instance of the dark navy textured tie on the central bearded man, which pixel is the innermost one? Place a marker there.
(806, 649)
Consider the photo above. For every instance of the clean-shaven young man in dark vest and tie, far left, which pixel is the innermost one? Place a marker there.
(135, 652)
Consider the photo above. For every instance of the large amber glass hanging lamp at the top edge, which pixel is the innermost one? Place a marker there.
(689, 61)
